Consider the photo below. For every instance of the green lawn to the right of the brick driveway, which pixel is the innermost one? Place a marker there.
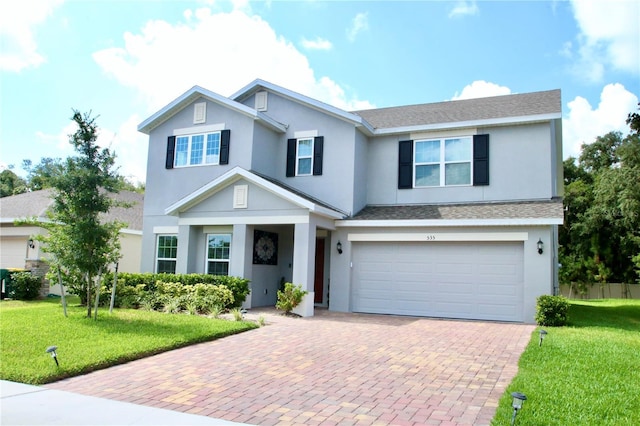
(587, 373)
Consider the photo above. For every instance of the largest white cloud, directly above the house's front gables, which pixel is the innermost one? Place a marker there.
(221, 52)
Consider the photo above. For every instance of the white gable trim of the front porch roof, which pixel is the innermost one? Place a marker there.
(238, 173)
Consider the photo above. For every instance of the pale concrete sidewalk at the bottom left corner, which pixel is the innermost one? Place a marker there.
(33, 405)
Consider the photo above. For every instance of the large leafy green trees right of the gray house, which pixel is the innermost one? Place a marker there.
(601, 236)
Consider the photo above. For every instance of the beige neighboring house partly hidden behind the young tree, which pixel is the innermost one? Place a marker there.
(18, 248)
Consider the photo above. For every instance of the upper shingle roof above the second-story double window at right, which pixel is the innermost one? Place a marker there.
(497, 107)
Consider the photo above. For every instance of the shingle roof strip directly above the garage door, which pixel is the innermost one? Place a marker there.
(503, 210)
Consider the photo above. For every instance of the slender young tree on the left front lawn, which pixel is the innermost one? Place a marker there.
(80, 241)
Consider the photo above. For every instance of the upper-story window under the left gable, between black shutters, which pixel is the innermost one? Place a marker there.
(194, 150)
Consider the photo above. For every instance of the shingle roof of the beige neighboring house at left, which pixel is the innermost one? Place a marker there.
(36, 204)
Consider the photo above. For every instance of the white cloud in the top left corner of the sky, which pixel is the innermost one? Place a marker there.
(18, 22)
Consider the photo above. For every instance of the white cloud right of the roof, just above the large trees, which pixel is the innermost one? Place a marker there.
(584, 123)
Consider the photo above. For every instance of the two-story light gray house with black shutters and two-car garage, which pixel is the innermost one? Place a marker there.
(428, 210)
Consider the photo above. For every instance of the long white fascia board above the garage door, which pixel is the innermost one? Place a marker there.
(439, 223)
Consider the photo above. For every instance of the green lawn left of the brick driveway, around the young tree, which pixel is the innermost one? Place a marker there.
(28, 328)
